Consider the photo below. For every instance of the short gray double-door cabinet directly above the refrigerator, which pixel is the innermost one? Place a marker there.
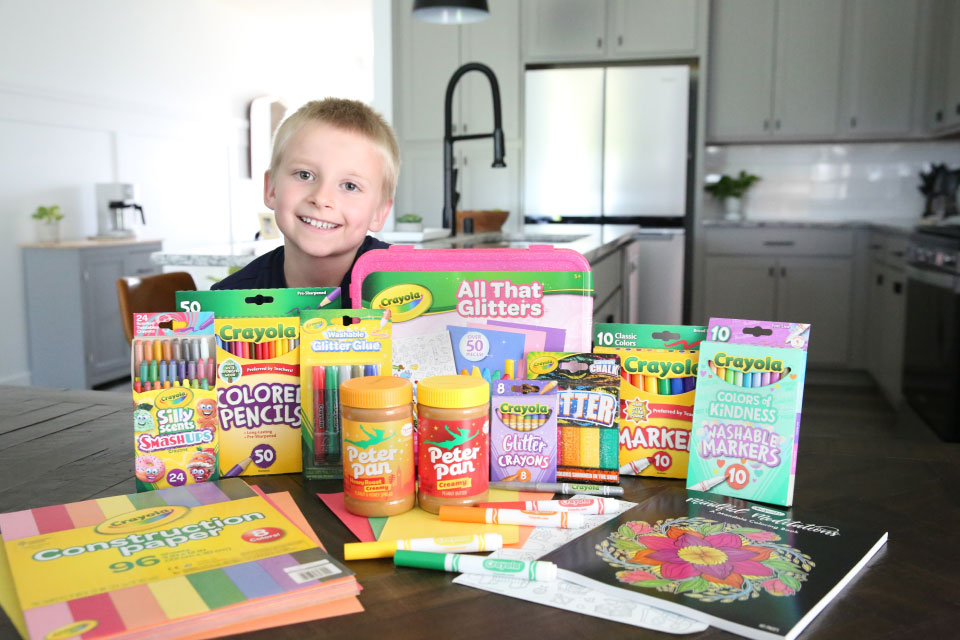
(570, 30)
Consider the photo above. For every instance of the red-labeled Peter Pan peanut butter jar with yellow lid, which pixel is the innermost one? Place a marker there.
(454, 441)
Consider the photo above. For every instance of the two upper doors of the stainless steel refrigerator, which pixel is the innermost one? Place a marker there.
(607, 144)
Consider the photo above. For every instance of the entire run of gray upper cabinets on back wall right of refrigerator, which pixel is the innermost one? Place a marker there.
(812, 70)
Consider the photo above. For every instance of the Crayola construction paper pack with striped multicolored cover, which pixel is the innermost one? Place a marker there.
(243, 584)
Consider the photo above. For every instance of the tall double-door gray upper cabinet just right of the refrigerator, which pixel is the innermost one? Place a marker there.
(775, 69)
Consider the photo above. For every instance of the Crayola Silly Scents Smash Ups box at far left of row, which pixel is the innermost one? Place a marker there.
(175, 407)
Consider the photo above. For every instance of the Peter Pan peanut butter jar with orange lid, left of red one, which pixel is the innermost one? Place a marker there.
(377, 417)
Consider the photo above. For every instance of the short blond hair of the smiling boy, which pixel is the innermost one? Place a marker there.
(349, 115)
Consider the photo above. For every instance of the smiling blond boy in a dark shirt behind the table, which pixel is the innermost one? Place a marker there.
(331, 179)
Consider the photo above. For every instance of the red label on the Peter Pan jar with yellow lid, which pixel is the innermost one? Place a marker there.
(454, 457)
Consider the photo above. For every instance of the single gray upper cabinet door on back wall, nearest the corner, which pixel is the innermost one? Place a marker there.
(880, 68)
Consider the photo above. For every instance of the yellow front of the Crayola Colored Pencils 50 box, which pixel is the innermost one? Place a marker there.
(258, 395)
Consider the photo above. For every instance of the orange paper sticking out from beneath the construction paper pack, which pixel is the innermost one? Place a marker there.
(285, 504)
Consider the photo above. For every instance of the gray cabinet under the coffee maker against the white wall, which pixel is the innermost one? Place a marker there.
(75, 334)
